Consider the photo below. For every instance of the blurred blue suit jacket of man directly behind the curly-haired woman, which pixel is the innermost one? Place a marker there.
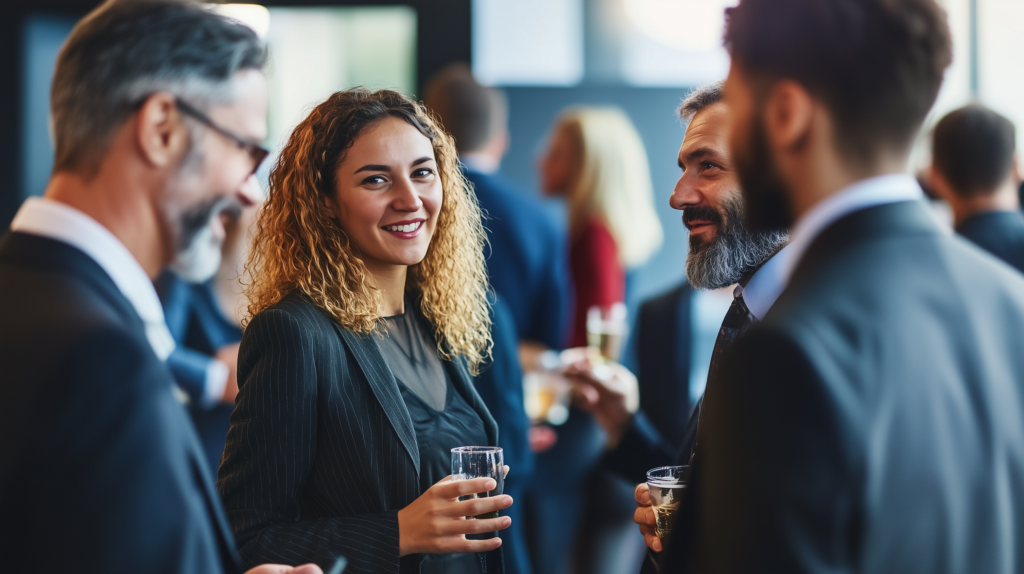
(528, 260)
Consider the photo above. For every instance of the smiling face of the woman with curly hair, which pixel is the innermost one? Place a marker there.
(390, 195)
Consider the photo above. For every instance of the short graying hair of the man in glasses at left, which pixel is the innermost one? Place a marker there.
(126, 51)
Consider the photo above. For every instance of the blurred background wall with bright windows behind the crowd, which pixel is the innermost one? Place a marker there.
(642, 56)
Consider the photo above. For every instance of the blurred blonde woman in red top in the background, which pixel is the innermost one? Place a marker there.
(596, 161)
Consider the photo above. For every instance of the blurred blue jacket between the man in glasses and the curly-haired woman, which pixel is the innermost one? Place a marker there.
(200, 330)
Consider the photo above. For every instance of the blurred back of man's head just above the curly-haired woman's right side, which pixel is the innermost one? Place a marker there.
(472, 113)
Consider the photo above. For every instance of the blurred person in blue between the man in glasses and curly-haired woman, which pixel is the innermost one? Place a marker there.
(204, 319)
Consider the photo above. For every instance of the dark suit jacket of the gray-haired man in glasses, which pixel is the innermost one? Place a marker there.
(100, 467)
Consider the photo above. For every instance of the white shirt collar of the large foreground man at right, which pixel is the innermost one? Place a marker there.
(861, 196)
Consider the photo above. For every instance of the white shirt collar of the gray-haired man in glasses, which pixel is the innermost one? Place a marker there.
(58, 222)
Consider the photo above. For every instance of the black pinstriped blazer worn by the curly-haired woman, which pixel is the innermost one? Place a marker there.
(322, 454)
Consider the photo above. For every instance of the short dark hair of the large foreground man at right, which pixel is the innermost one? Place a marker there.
(877, 65)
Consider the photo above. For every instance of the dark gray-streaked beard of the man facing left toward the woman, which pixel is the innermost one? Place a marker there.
(735, 253)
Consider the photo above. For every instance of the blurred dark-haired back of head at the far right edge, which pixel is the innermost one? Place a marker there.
(973, 148)
